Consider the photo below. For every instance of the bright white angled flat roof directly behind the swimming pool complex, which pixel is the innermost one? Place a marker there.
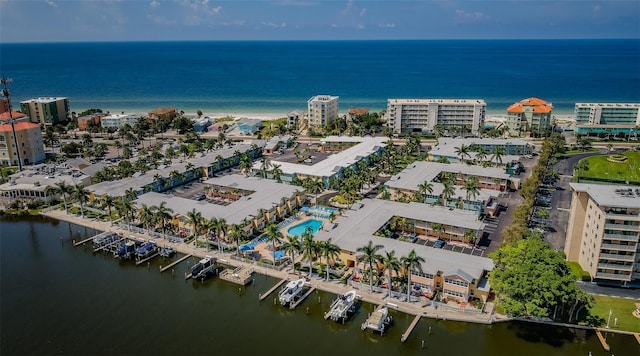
(333, 163)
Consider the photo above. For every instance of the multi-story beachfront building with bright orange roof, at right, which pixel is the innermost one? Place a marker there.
(532, 114)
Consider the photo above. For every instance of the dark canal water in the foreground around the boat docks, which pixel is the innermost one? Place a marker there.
(61, 299)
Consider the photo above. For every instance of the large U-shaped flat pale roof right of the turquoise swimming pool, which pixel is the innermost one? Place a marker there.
(356, 228)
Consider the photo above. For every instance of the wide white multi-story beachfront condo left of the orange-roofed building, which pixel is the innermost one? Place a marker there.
(422, 115)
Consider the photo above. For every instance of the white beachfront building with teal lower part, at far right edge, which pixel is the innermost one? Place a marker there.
(611, 118)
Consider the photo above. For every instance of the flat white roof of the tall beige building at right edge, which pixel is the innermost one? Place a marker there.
(608, 195)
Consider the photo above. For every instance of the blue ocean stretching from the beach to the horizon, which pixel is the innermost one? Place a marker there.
(278, 76)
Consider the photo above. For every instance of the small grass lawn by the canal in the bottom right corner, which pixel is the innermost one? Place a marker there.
(620, 308)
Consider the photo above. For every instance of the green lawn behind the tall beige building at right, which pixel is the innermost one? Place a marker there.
(600, 168)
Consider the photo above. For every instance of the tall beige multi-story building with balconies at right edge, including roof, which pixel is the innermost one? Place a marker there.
(603, 234)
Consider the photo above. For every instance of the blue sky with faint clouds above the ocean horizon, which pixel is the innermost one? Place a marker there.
(197, 20)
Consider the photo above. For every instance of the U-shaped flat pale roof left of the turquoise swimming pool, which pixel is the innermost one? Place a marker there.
(267, 193)
